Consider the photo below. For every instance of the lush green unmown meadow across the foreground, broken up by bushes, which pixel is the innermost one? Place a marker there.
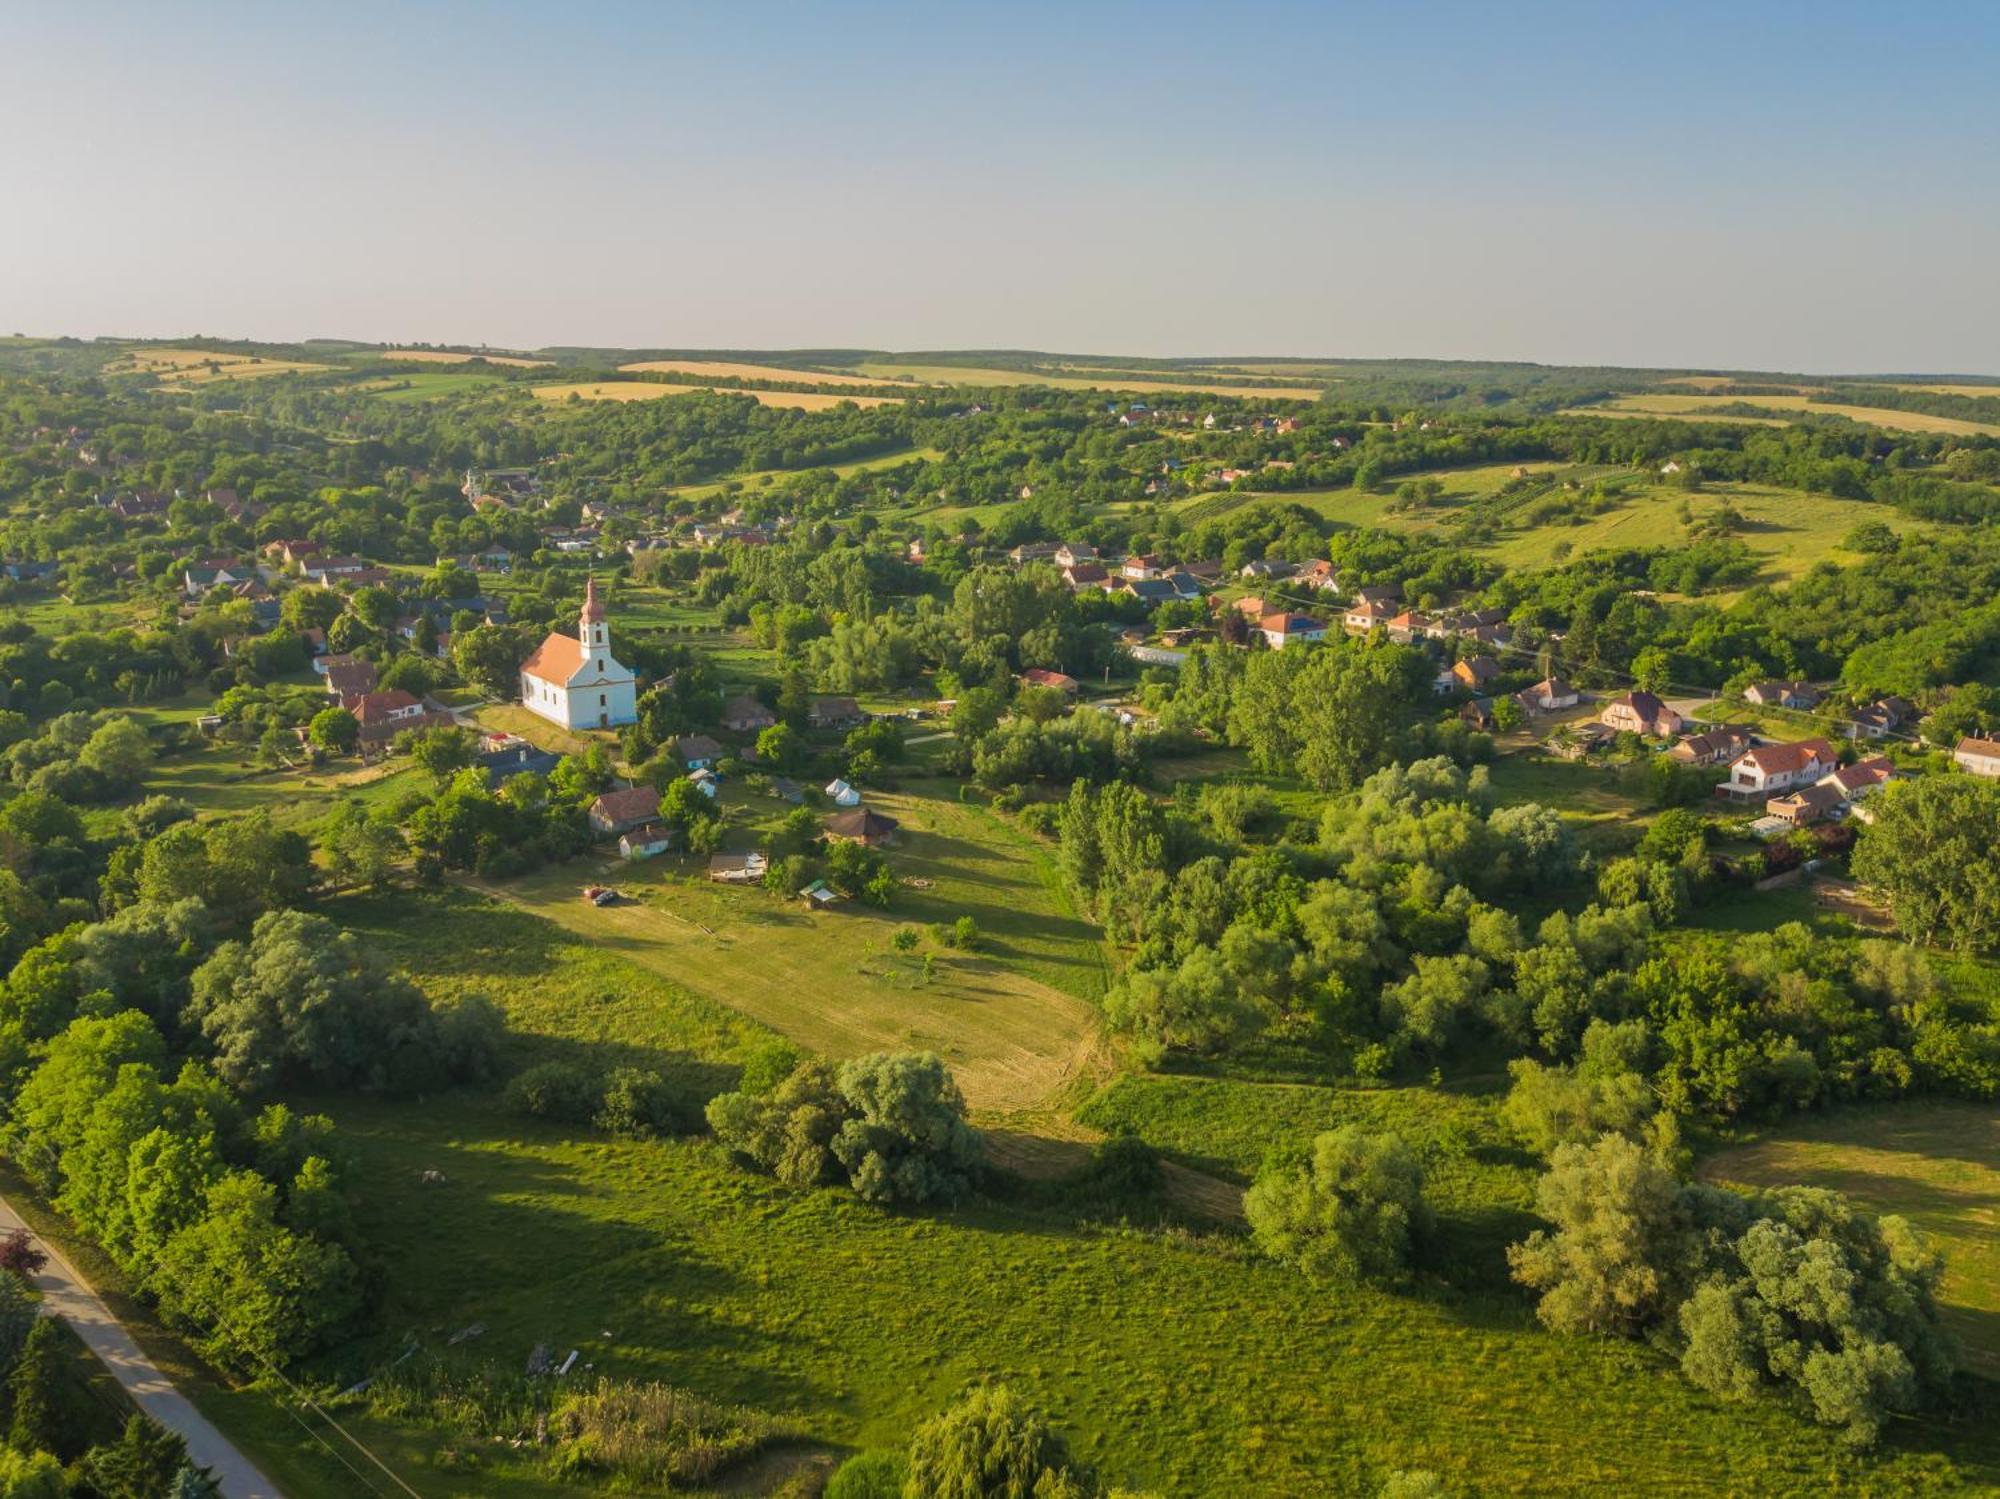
(1175, 1362)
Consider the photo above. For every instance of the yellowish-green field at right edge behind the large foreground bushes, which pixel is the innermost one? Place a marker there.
(1937, 1164)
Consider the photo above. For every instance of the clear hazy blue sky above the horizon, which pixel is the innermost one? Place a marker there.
(1771, 187)
